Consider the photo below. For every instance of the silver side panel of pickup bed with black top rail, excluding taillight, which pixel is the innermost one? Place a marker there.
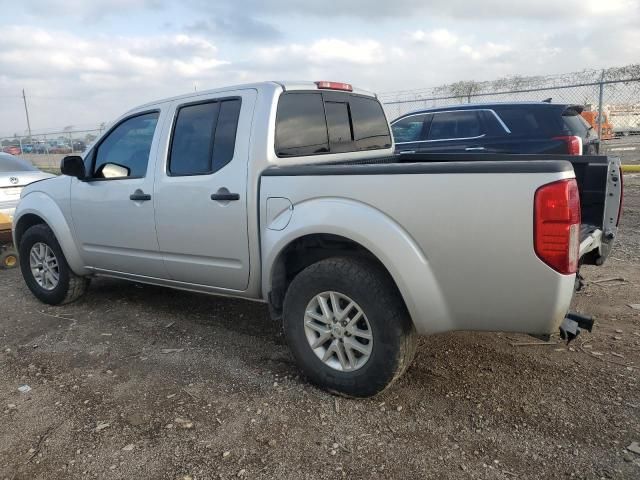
(461, 255)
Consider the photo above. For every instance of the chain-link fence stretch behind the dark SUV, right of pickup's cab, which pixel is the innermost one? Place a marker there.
(611, 100)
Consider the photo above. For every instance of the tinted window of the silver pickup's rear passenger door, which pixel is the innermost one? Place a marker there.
(204, 137)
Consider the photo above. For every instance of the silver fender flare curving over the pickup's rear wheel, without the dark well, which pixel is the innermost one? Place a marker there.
(378, 233)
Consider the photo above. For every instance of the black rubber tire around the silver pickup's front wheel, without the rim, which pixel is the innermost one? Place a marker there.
(69, 286)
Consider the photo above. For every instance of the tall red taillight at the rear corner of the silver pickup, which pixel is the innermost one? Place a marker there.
(557, 225)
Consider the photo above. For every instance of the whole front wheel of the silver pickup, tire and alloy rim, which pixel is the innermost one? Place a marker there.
(45, 269)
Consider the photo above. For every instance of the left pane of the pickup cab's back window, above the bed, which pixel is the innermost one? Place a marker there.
(301, 128)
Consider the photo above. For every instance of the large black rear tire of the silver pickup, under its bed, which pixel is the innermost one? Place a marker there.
(384, 317)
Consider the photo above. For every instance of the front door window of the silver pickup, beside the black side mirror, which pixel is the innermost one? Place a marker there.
(124, 153)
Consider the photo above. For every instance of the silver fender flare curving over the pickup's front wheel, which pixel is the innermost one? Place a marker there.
(42, 205)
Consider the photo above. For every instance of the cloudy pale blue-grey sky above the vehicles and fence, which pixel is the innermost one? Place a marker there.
(85, 62)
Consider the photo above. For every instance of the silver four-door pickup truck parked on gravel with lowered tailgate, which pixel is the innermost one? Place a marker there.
(288, 193)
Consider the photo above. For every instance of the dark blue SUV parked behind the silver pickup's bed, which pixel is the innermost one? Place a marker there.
(519, 127)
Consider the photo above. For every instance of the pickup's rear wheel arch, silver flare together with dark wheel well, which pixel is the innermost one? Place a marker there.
(353, 228)
